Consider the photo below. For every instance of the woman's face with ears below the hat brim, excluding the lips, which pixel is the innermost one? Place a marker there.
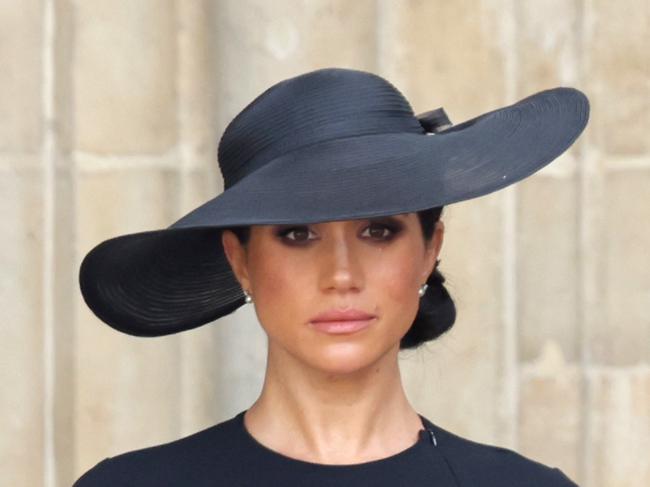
(295, 272)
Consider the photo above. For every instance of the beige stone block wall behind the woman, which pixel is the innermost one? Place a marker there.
(109, 115)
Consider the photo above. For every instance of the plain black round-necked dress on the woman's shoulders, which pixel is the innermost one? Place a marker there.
(227, 455)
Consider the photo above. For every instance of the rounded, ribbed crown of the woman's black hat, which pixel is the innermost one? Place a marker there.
(318, 106)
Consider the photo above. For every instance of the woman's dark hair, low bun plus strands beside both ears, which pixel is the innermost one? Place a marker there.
(437, 311)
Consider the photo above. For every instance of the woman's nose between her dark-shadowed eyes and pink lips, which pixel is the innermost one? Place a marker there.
(341, 265)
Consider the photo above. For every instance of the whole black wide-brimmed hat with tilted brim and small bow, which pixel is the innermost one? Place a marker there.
(330, 144)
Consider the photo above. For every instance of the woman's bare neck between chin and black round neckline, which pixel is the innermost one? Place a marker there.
(326, 417)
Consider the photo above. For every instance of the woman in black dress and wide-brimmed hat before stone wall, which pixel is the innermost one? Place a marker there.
(330, 224)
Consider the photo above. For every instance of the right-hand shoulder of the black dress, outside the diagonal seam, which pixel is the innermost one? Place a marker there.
(481, 464)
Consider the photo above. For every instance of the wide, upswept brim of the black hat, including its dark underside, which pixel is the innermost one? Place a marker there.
(164, 281)
